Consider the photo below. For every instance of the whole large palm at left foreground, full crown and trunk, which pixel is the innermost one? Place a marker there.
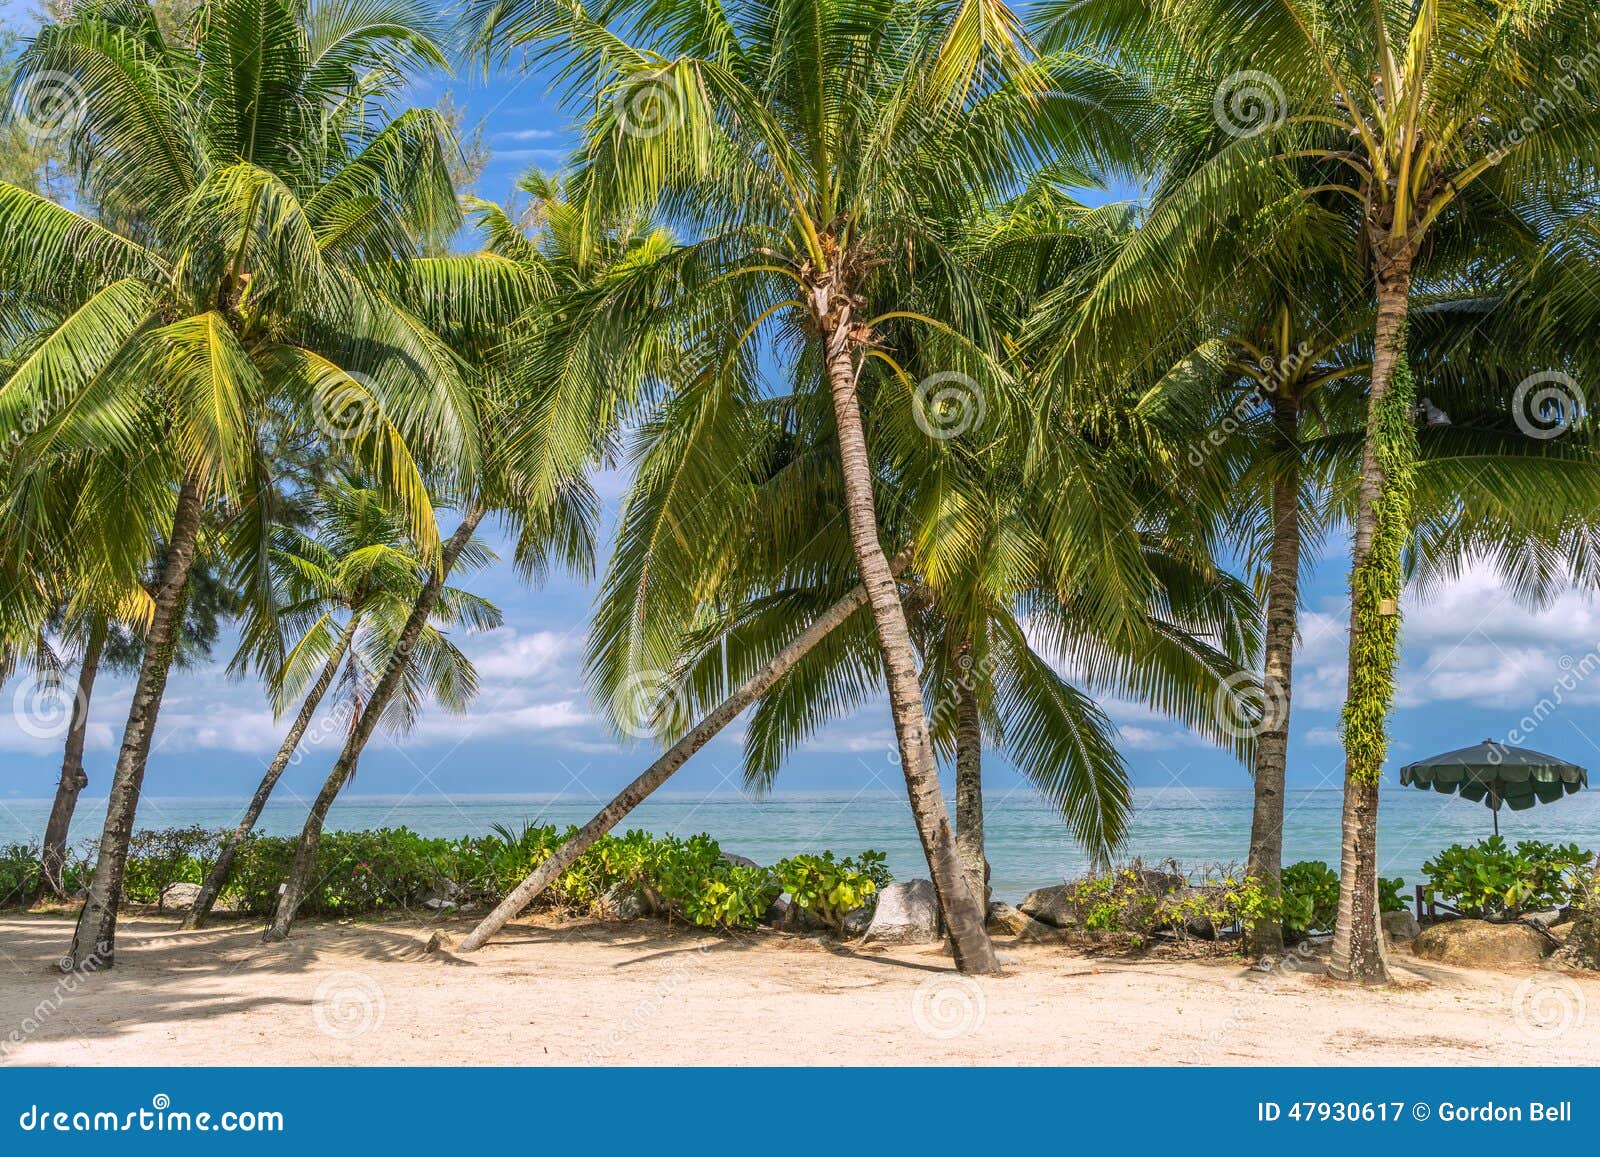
(260, 193)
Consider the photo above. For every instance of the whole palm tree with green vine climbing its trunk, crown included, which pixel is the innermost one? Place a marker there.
(1423, 116)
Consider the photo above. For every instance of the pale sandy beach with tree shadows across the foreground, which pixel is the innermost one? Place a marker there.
(593, 993)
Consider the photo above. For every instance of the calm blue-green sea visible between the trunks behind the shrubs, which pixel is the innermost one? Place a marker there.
(1028, 844)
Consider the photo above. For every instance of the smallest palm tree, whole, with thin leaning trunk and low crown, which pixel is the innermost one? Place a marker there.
(362, 566)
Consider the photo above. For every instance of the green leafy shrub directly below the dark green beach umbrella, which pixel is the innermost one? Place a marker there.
(1490, 879)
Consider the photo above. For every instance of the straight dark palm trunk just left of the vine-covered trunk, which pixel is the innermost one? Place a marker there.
(1266, 823)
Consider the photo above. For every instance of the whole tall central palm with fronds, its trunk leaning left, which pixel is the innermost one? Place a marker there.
(817, 151)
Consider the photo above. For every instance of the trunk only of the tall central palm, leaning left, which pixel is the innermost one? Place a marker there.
(964, 911)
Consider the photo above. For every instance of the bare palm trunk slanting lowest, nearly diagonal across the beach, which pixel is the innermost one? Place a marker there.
(676, 756)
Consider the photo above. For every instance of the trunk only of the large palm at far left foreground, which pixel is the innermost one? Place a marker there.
(95, 940)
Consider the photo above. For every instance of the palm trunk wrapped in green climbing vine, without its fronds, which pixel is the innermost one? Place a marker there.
(1359, 951)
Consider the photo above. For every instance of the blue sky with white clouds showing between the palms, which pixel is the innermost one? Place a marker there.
(1474, 665)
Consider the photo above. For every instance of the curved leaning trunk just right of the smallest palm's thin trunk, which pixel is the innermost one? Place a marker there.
(305, 865)
